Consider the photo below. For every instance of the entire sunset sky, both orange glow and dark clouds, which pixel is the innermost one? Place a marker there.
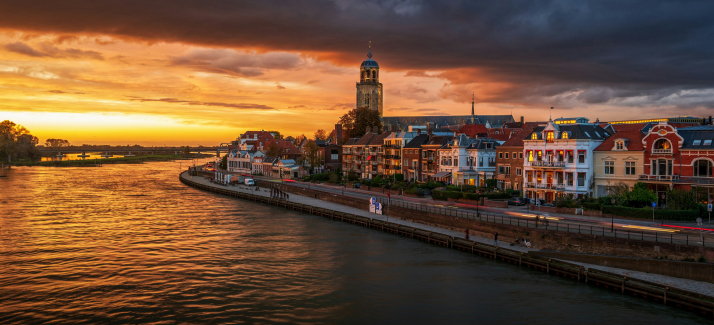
(202, 72)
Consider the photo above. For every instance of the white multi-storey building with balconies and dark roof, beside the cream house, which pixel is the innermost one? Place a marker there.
(559, 158)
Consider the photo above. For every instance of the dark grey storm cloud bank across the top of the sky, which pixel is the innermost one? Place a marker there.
(584, 51)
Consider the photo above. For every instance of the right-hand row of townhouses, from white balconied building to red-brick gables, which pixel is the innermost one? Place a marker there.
(575, 157)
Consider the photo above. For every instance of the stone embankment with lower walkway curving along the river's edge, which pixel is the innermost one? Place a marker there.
(694, 295)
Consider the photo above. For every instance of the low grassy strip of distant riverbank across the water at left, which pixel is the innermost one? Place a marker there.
(98, 162)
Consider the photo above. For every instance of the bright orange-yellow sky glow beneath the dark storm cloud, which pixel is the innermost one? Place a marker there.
(92, 89)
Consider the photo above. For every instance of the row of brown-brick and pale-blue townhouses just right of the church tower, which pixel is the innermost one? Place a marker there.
(432, 155)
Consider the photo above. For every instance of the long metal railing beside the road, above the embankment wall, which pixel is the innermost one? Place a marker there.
(670, 238)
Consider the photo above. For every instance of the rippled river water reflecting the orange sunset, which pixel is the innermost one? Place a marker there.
(131, 244)
